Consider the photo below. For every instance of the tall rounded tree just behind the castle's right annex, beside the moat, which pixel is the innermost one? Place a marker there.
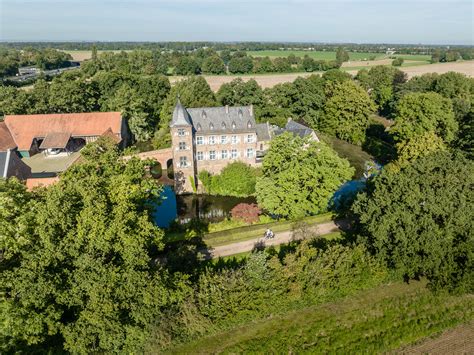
(347, 112)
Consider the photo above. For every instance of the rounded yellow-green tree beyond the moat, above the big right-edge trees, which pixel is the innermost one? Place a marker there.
(417, 113)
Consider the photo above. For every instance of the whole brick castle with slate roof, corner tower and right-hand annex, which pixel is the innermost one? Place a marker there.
(209, 138)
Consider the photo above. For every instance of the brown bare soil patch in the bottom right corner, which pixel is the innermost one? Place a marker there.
(459, 340)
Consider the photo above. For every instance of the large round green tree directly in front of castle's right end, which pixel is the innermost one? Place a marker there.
(299, 177)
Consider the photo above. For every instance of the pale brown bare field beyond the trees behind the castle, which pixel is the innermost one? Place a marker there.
(271, 80)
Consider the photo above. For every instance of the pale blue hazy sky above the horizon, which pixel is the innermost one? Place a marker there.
(348, 21)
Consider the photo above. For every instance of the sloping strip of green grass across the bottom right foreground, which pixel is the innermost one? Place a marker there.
(373, 321)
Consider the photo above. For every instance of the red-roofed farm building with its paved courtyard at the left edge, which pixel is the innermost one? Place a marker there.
(41, 146)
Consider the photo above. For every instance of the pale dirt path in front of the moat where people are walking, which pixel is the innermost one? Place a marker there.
(280, 238)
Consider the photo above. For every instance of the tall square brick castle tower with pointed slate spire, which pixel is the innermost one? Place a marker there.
(182, 143)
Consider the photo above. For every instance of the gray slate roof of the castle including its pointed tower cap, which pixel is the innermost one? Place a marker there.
(222, 119)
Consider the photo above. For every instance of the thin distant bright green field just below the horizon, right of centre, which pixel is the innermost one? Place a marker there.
(328, 55)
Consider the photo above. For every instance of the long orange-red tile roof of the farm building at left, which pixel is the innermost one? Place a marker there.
(24, 128)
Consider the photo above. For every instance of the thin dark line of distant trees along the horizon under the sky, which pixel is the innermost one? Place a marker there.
(239, 46)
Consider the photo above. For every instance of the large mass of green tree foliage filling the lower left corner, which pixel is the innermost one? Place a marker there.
(78, 269)
